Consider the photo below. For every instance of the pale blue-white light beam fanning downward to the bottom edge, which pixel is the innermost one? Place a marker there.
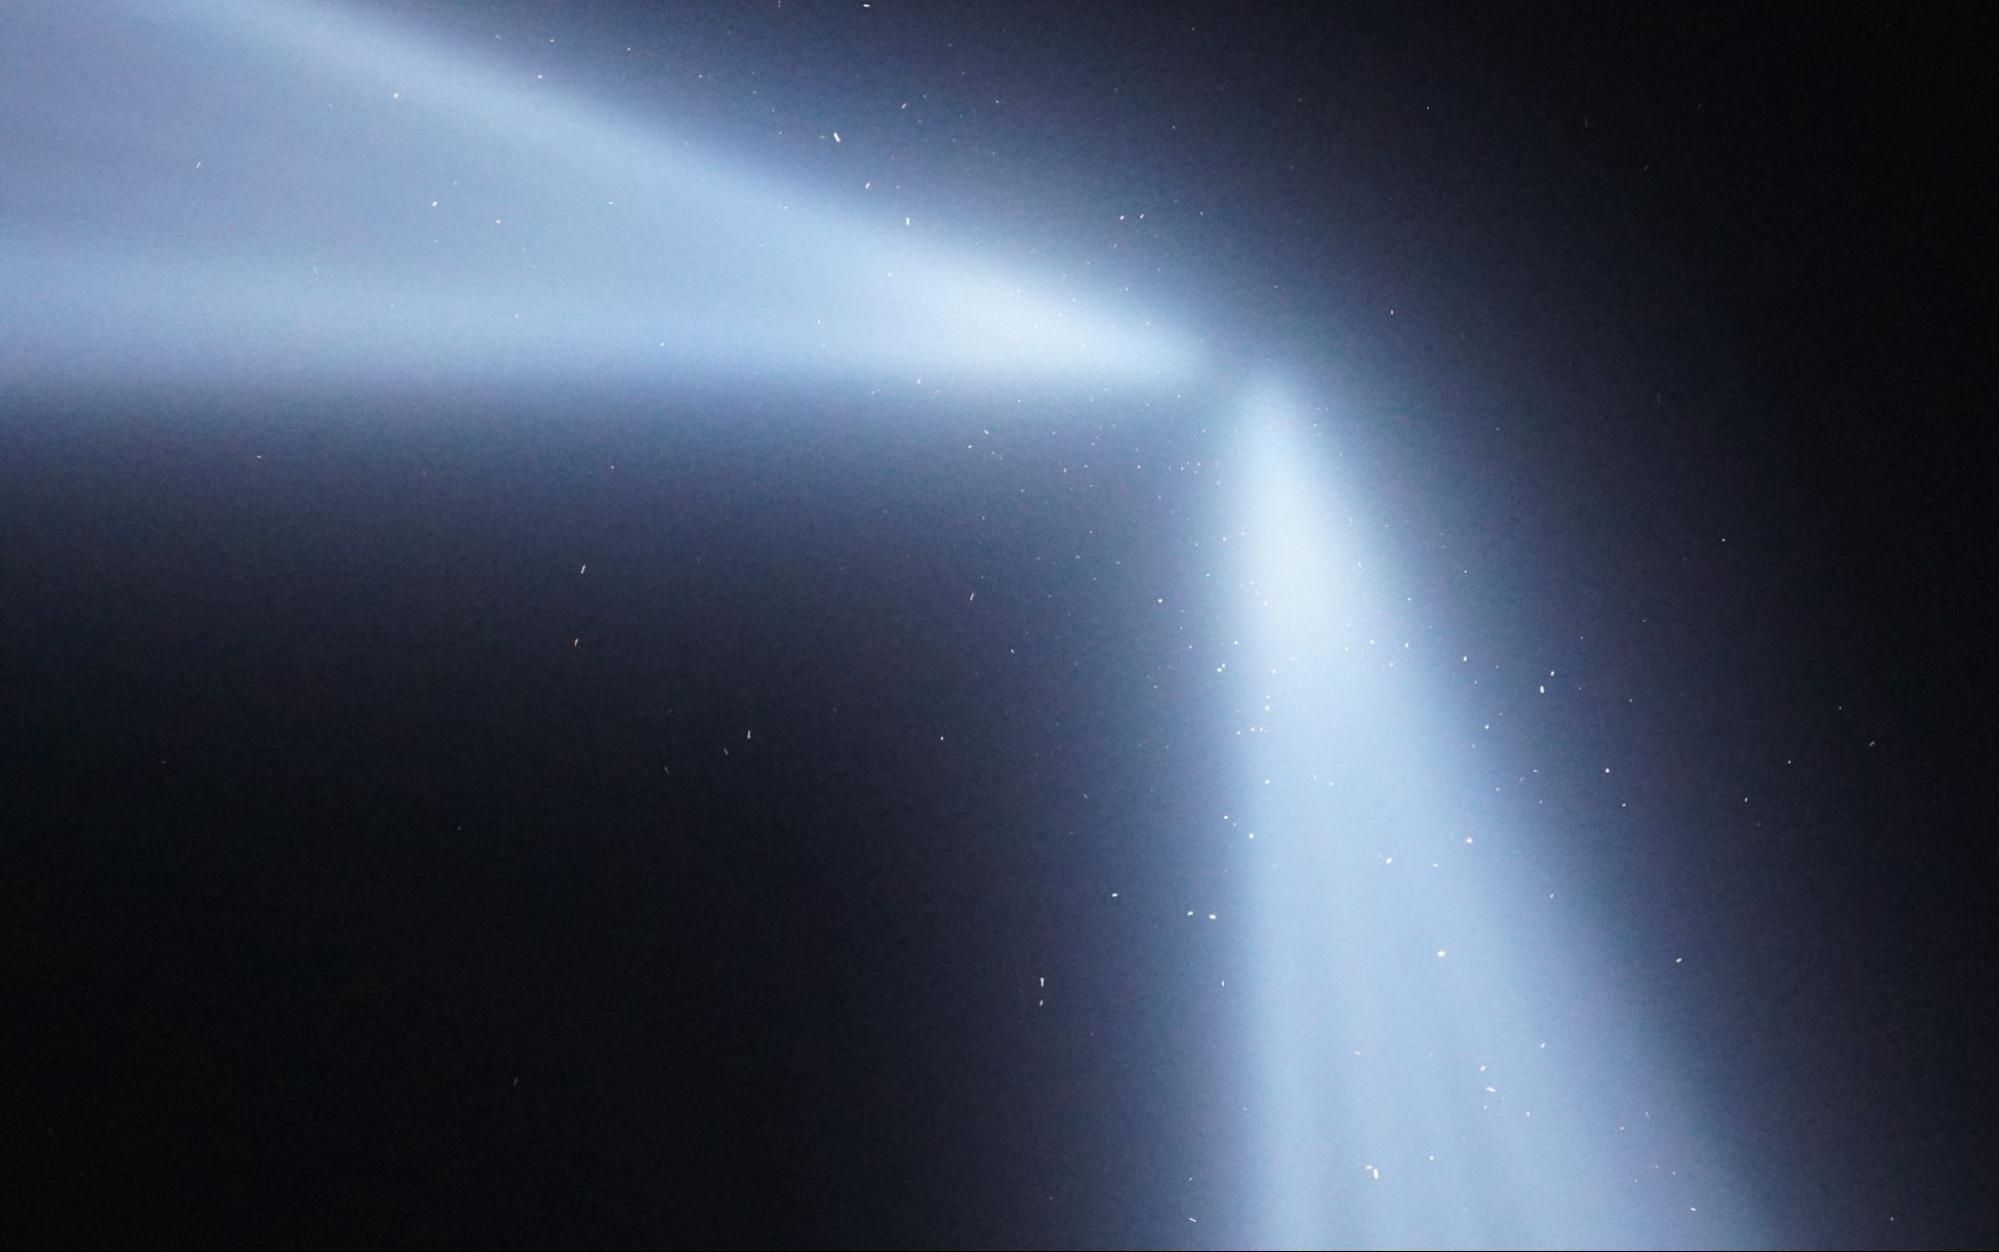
(1440, 1061)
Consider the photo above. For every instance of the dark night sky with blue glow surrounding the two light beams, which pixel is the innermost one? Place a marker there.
(375, 871)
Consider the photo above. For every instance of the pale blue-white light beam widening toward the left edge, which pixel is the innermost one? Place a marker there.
(279, 189)
